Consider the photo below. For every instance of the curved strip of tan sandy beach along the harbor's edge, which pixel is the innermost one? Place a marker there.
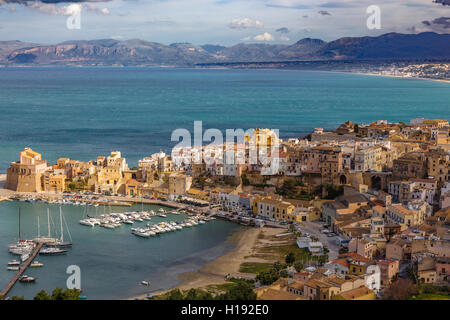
(214, 272)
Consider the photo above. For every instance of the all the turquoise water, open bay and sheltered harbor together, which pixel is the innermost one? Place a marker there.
(85, 112)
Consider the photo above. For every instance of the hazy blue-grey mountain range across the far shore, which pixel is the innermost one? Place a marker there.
(135, 52)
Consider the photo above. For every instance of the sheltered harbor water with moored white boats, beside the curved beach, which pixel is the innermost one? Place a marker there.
(113, 262)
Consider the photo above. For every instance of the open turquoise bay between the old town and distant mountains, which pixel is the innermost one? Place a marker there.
(85, 112)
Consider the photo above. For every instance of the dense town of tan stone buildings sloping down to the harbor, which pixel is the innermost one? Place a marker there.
(358, 213)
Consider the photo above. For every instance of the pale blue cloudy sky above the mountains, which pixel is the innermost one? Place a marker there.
(224, 22)
